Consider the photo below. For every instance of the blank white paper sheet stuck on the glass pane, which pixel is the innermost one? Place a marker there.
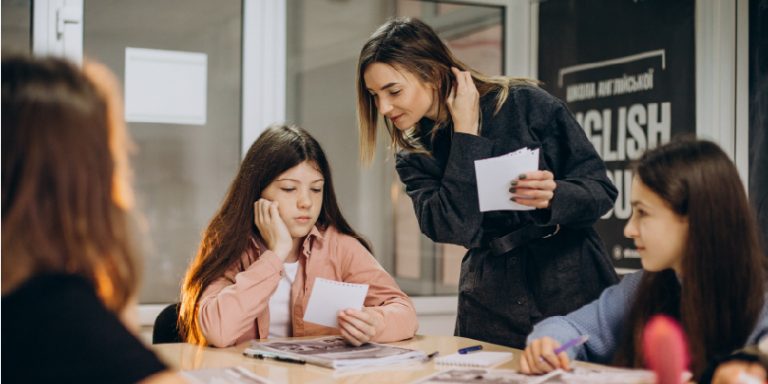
(165, 86)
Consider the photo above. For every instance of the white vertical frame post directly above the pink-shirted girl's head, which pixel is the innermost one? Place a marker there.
(264, 48)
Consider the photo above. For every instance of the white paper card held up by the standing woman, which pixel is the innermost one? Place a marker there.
(495, 174)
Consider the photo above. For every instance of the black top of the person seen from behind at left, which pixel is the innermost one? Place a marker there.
(56, 330)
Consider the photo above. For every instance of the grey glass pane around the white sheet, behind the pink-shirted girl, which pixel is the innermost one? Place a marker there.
(181, 171)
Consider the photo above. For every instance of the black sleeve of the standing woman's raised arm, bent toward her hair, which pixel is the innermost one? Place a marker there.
(446, 202)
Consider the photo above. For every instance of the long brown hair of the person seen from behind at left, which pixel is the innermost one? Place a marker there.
(63, 161)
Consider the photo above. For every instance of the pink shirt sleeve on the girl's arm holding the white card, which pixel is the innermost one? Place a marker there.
(384, 295)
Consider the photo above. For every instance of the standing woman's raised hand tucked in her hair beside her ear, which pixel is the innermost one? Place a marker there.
(464, 103)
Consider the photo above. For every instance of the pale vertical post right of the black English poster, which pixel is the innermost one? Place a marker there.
(716, 72)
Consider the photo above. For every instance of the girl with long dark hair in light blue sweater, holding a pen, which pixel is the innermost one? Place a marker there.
(702, 264)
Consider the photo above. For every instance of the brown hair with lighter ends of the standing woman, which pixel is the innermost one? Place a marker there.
(412, 45)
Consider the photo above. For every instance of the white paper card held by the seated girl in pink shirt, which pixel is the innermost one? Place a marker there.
(328, 297)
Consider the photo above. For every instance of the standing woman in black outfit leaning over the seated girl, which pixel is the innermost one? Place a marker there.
(522, 266)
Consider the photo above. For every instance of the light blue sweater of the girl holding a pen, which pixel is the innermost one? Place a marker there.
(602, 320)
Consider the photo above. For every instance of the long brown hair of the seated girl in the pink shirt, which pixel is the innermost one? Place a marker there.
(278, 149)
